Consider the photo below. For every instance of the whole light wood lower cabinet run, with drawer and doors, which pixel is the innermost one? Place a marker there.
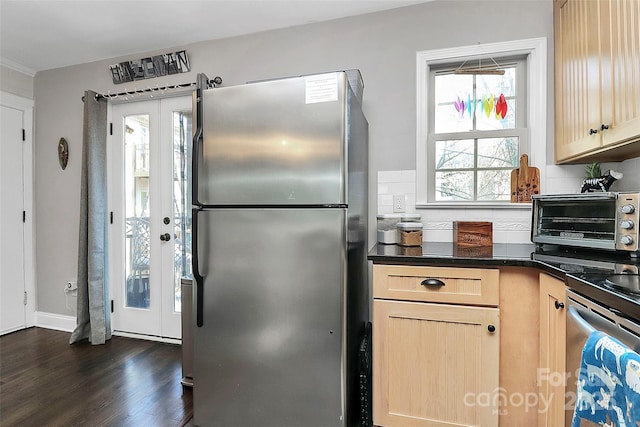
(436, 362)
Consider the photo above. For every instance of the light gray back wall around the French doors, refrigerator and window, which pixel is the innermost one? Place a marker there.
(382, 45)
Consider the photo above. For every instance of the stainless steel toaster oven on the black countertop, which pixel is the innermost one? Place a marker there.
(607, 221)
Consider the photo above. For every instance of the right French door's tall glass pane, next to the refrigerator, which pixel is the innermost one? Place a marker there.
(181, 200)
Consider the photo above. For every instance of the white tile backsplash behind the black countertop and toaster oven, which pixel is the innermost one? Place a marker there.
(509, 225)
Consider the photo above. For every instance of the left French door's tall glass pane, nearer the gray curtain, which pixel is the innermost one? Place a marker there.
(137, 210)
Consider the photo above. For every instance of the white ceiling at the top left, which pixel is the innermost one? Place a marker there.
(39, 35)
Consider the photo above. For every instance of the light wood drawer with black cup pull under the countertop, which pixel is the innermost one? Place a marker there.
(475, 286)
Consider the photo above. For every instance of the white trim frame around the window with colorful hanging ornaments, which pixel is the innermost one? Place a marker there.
(536, 51)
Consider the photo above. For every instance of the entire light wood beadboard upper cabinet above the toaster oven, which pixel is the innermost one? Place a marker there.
(597, 80)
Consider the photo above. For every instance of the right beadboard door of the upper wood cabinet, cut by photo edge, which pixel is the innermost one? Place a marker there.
(620, 34)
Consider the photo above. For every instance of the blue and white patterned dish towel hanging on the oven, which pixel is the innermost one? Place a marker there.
(608, 383)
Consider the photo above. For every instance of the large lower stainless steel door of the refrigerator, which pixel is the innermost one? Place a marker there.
(270, 349)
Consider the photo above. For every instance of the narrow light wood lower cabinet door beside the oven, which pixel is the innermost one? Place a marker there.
(551, 375)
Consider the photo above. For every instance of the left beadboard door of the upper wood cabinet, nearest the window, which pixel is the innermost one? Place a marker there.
(577, 79)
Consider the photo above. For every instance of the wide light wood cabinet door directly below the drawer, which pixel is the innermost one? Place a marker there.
(435, 364)
